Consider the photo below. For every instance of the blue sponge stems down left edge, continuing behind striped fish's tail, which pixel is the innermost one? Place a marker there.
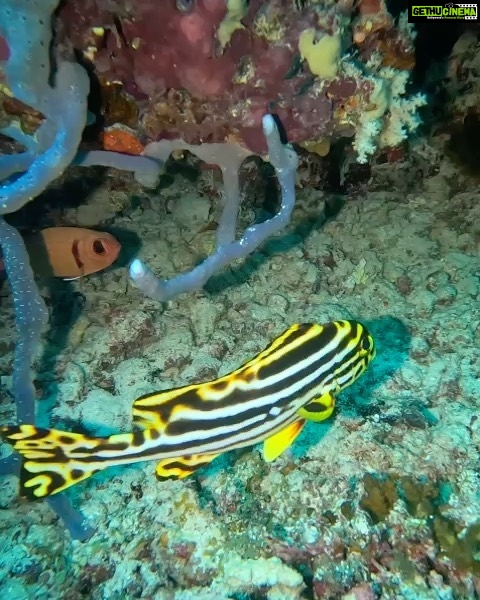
(26, 26)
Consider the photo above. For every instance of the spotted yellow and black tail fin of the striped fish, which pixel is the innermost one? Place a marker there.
(48, 467)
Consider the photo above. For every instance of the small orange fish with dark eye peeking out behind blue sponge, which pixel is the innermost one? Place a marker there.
(70, 252)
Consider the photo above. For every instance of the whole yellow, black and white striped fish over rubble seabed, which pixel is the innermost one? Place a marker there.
(266, 400)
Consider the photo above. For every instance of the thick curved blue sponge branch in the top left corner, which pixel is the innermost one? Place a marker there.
(26, 26)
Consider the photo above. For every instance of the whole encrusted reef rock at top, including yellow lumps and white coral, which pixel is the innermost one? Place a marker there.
(218, 67)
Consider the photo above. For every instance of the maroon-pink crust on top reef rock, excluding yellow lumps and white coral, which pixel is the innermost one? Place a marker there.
(188, 86)
